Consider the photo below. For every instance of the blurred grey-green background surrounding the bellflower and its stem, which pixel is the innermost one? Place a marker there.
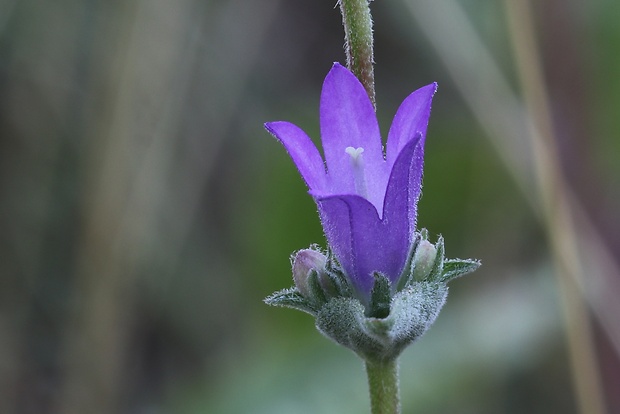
(145, 213)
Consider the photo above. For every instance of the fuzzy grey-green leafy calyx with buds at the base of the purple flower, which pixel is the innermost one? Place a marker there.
(396, 313)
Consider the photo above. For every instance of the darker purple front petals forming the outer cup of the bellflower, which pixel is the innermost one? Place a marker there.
(364, 243)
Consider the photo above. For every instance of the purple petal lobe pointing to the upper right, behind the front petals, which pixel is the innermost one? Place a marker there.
(412, 117)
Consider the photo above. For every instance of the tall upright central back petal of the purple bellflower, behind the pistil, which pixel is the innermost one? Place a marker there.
(348, 120)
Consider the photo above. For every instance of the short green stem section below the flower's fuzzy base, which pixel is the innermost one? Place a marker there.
(383, 384)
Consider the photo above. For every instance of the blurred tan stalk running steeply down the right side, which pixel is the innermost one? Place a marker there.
(556, 209)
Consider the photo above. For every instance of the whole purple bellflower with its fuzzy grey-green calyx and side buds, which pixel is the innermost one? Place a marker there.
(381, 284)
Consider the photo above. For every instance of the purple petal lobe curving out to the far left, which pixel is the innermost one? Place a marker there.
(303, 152)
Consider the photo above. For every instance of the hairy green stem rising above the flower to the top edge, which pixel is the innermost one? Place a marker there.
(358, 37)
